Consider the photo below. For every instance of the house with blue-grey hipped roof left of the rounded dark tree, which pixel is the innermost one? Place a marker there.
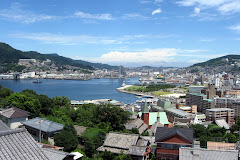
(47, 128)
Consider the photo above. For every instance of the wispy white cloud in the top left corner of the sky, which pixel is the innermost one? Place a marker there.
(17, 14)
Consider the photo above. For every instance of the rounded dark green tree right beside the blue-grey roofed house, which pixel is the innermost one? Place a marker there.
(67, 139)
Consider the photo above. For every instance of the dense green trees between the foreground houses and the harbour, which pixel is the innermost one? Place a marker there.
(99, 119)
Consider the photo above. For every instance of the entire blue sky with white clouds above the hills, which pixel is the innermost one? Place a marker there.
(124, 32)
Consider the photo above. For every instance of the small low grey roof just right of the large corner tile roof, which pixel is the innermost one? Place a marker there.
(53, 154)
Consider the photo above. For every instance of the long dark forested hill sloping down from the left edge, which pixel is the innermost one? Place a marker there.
(9, 55)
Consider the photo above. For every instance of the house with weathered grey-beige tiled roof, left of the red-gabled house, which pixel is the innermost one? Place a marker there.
(131, 144)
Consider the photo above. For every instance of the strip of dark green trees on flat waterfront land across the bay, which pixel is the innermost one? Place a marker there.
(149, 88)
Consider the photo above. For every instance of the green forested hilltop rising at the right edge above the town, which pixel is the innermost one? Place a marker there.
(219, 61)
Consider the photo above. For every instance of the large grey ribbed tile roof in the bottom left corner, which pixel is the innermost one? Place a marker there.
(18, 144)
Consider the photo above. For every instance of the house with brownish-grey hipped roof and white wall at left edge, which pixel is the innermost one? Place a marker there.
(13, 117)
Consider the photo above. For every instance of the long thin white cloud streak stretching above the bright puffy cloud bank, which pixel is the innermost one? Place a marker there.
(87, 39)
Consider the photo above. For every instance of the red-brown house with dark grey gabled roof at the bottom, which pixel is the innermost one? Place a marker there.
(169, 140)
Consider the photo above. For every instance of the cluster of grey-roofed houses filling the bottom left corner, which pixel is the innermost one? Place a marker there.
(20, 137)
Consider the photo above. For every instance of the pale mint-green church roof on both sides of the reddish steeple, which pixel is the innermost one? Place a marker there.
(153, 117)
